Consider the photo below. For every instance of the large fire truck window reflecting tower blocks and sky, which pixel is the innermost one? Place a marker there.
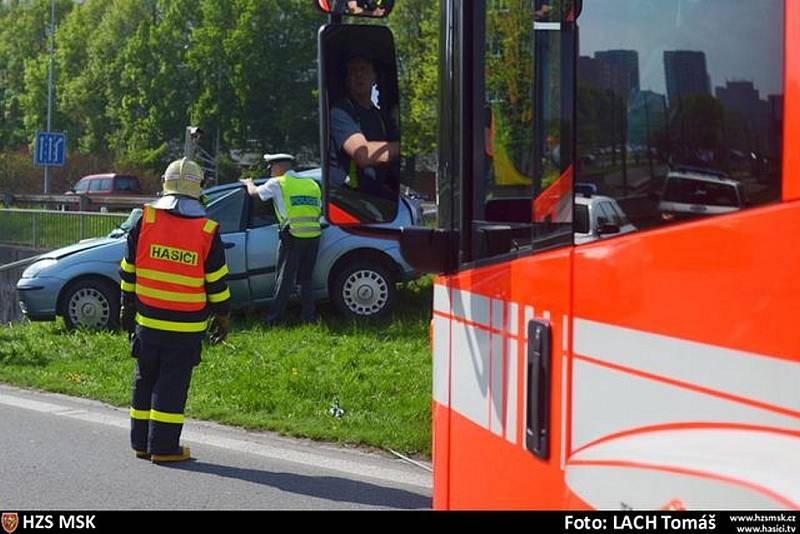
(680, 106)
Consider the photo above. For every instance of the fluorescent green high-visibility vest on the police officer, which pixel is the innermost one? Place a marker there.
(302, 200)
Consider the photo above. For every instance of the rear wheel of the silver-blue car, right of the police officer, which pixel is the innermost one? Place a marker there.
(364, 289)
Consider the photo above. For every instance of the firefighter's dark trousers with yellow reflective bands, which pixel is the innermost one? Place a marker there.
(160, 386)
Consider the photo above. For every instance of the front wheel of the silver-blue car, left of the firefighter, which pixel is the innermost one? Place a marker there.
(92, 304)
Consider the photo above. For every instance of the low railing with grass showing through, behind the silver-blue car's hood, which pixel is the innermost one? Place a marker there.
(51, 229)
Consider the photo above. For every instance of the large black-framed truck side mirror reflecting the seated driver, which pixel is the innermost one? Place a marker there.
(360, 131)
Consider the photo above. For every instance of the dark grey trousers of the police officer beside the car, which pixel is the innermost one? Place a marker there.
(296, 257)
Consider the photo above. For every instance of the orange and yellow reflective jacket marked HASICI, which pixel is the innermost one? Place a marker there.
(175, 266)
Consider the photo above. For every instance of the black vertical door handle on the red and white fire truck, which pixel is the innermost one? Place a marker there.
(537, 425)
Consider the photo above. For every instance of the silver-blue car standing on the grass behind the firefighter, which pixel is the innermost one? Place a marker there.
(358, 274)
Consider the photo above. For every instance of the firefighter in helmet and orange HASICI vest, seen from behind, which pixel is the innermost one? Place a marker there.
(174, 278)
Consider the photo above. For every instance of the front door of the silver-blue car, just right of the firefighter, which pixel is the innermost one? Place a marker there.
(227, 209)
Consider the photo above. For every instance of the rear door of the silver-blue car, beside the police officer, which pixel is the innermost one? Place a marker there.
(262, 248)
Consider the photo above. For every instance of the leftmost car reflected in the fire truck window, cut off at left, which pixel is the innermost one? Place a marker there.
(598, 217)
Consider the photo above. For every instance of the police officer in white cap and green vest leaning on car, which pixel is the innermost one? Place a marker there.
(298, 206)
